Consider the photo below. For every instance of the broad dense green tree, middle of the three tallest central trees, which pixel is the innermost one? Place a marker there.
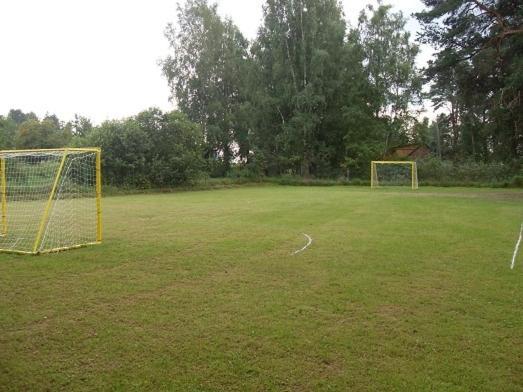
(298, 55)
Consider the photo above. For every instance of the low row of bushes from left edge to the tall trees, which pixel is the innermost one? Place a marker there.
(151, 149)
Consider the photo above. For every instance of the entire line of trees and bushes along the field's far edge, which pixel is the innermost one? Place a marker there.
(312, 95)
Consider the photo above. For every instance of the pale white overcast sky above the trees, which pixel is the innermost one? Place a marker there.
(99, 58)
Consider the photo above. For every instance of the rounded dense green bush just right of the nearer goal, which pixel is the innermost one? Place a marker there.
(151, 149)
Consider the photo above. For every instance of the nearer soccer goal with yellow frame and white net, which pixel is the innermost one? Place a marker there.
(50, 199)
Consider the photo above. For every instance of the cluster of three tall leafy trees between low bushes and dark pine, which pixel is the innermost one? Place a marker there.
(311, 97)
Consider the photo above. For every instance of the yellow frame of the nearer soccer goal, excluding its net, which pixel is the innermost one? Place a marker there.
(45, 215)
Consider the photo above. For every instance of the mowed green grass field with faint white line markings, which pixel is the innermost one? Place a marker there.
(199, 291)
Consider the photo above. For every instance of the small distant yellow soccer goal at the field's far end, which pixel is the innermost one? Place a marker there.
(394, 173)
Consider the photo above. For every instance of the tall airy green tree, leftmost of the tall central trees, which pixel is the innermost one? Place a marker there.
(206, 75)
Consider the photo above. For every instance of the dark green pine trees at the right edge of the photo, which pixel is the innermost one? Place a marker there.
(478, 73)
